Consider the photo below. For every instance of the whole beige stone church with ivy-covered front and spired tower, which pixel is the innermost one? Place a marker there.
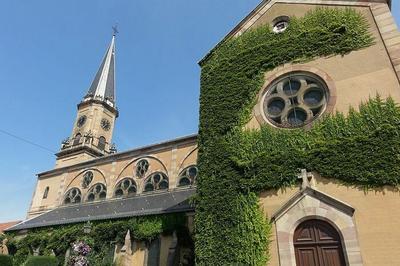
(276, 86)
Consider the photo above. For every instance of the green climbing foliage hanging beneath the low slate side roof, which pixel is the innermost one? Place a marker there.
(101, 238)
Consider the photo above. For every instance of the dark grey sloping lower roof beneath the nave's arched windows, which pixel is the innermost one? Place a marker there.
(141, 205)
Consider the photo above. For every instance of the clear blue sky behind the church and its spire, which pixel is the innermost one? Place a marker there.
(50, 51)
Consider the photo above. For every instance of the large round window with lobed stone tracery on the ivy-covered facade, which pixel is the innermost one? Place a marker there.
(295, 99)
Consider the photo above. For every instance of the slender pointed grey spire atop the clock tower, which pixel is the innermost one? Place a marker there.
(103, 85)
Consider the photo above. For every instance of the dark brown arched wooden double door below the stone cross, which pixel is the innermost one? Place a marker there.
(317, 243)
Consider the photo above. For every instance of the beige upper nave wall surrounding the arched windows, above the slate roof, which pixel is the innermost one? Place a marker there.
(170, 158)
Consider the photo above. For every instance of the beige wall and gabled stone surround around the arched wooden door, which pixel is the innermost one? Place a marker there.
(370, 231)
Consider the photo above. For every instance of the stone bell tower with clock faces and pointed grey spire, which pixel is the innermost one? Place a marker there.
(93, 128)
